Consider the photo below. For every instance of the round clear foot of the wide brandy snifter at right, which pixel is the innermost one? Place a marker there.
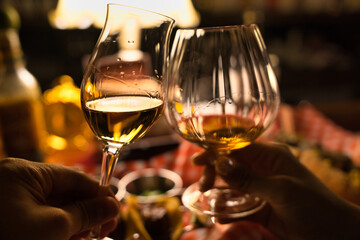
(221, 202)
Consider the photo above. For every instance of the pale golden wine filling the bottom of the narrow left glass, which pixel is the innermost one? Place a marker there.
(122, 119)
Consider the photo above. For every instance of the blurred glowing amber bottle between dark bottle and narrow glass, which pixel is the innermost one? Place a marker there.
(70, 141)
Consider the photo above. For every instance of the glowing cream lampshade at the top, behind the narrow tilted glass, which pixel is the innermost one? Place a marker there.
(81, 14)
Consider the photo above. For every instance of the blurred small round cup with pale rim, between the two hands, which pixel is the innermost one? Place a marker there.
(152, 208)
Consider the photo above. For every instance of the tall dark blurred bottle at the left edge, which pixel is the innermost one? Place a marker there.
(22, 128)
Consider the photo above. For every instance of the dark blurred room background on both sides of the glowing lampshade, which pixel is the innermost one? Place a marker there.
(317, 47)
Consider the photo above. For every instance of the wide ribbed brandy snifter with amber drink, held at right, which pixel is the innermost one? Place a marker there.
(222, 95)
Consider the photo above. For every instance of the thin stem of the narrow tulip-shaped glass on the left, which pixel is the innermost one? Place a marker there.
(110, 158)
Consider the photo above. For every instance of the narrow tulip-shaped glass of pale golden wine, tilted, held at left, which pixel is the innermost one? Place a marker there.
(122, 92)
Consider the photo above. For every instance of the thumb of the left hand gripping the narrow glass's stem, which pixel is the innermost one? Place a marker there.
(85, 214)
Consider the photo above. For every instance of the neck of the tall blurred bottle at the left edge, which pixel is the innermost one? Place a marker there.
(11, 54)
